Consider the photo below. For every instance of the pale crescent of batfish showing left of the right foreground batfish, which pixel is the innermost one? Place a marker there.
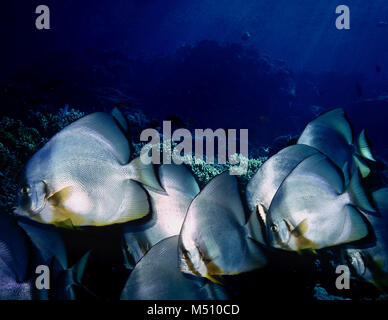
(264, 184)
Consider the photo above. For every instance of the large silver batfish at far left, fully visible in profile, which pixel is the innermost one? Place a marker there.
(82, 176)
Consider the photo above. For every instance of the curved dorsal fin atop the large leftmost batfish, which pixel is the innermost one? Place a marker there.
(103, 128)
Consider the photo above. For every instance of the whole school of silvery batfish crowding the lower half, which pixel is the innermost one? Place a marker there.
(179, 242)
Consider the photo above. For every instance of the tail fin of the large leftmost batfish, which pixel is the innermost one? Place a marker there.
(143, 173)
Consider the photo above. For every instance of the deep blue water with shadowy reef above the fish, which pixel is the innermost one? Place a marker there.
(327, 67)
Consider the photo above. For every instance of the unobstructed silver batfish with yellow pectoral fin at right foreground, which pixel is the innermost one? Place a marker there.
(312, 208)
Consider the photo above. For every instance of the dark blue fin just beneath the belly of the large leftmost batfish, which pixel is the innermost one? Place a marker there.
(47, 240)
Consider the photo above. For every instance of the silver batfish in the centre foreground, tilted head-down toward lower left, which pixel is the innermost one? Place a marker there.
(214, 239)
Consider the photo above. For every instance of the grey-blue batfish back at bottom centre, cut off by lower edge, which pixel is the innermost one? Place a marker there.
(157, 277)
